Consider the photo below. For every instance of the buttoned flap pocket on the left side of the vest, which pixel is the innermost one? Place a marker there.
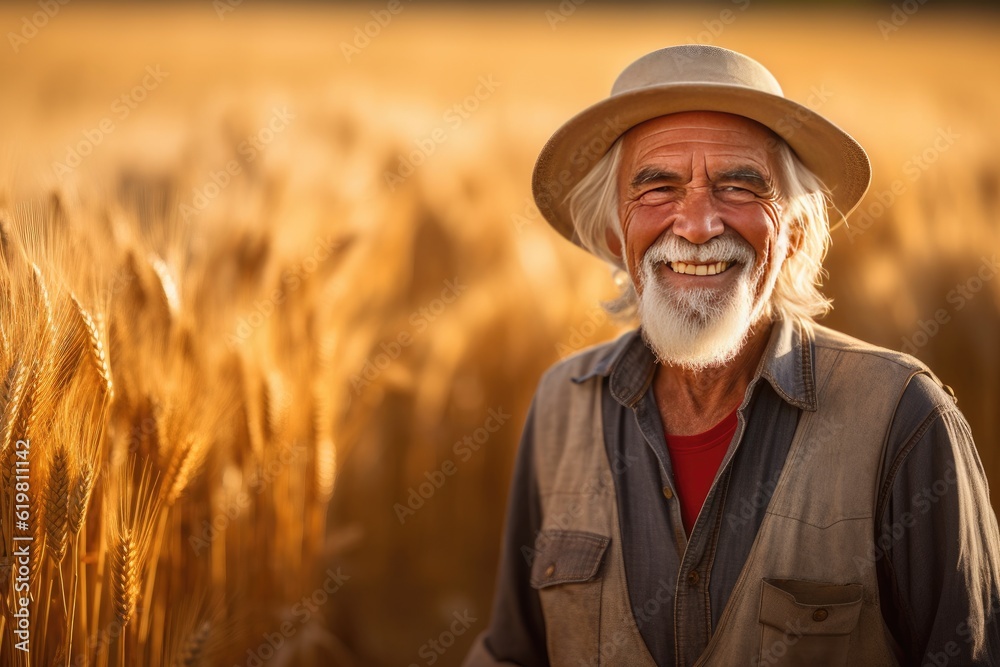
(566, 573)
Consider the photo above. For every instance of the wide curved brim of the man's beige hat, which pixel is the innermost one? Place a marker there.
(829, 152)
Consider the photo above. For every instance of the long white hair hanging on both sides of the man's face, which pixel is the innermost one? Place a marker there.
(593, 206)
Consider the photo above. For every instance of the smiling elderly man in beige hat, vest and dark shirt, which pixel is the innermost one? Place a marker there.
(732, 483)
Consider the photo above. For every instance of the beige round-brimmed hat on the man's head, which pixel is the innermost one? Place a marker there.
(696, 78)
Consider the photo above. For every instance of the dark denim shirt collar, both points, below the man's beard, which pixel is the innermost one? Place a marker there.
(787, 364)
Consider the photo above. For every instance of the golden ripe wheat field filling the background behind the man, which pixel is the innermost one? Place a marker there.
(274, 297)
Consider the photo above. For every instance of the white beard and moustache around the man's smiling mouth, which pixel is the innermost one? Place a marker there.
(701, 327)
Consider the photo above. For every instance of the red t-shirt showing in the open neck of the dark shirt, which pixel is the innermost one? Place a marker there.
(695, 460)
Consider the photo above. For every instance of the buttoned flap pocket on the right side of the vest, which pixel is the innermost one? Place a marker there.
(807, 623)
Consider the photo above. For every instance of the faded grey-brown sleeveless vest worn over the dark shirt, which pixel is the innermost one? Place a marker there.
(808, 592)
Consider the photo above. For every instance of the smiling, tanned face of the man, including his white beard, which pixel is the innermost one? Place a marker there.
(703, 243)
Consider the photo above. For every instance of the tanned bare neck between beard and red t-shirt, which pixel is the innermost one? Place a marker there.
(691, 402)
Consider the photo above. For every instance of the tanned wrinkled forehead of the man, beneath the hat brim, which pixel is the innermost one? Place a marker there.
(723, 136)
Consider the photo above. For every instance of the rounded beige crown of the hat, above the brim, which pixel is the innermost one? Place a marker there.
(693, 64)
